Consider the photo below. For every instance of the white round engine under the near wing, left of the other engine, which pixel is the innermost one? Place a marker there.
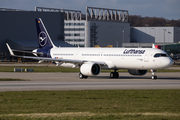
(90, 69)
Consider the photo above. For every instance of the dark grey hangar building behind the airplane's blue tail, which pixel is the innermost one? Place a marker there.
(18, 28)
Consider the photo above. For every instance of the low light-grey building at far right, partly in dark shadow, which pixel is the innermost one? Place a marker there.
(145, 36)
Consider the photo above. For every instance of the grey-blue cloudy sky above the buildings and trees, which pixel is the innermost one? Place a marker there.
(169, 9)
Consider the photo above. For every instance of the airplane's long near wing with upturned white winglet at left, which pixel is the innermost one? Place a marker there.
(55, 60)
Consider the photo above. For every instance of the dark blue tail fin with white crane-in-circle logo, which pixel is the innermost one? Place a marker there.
(44, 39)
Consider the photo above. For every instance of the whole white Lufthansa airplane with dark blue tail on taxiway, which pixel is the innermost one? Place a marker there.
(92, 60)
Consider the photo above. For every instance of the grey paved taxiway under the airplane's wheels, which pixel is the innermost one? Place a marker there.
(71, 81)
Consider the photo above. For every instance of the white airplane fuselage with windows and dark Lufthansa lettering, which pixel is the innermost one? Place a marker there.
(116, 58)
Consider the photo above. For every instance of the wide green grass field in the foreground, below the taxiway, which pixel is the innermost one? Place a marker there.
(91, 104)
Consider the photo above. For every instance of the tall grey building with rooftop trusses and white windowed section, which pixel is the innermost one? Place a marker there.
(98, 27)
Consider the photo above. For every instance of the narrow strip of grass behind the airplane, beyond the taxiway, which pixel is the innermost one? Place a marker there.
(62, 69)
